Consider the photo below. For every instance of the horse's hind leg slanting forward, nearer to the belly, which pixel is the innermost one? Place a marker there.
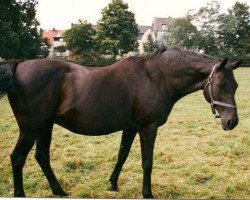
(43, 158)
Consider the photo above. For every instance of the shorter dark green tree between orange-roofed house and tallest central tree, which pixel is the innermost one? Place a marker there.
(80, 39)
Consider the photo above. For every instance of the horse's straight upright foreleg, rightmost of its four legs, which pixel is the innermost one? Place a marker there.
(147, 139)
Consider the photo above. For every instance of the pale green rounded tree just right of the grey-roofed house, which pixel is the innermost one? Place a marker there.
(182, 33)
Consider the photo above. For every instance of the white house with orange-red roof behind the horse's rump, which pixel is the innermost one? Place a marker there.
(55, 38)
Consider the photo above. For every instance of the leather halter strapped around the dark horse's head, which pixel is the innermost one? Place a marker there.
(212, 101)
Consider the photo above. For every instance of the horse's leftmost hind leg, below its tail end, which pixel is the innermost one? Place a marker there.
(24, 144)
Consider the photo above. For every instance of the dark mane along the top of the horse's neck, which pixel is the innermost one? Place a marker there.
(174, 54)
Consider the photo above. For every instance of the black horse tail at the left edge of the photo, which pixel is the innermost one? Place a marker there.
(7, 71)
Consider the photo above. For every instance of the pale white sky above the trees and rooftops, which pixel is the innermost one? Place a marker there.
(59, 14)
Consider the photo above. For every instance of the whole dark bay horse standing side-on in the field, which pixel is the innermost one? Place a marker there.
(135, 94)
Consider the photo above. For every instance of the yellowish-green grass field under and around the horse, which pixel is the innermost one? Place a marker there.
(194, 157)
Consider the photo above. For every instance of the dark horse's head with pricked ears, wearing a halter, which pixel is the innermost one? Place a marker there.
(220, 93)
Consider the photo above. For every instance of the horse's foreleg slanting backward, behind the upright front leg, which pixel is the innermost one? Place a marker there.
(126, 142)
